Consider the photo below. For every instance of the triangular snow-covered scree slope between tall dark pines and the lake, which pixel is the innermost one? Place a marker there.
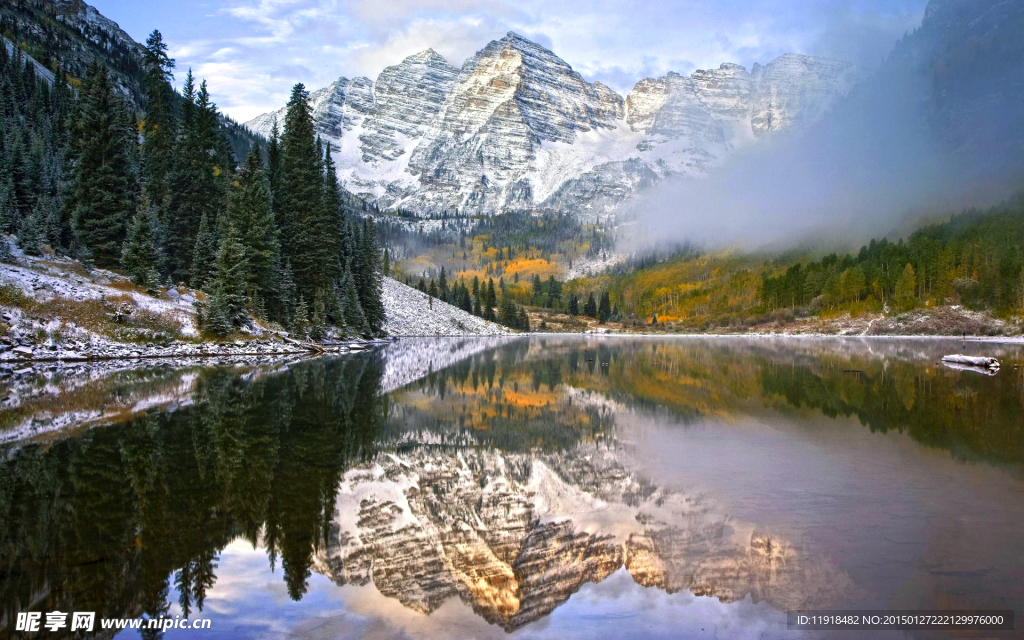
(412, 313)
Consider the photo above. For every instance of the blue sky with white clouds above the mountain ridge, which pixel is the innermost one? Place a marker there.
(252, 52)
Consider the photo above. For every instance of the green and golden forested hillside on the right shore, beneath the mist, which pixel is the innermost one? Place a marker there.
(975, 260)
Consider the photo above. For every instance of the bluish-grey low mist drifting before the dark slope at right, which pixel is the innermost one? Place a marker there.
(873, 167)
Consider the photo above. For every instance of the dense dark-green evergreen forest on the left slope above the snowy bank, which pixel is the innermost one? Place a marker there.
(159, 194)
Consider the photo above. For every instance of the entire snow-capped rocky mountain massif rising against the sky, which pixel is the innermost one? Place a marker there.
(517, 129)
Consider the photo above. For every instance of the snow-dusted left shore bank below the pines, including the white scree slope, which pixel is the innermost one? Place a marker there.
(54, 310)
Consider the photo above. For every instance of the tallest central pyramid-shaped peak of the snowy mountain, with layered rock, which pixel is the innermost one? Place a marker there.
(509, 100)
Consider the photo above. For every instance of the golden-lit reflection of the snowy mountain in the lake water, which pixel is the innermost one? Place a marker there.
(515, 536)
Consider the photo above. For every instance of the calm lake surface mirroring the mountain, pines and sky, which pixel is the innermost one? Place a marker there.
(531, 488)
